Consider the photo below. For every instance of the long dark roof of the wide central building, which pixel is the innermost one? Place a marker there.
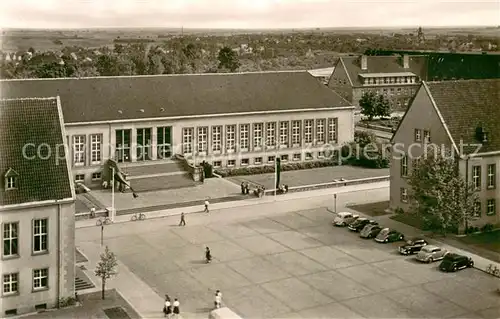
(101, 98)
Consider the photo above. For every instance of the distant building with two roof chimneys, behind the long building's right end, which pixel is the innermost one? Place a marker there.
(395, 77)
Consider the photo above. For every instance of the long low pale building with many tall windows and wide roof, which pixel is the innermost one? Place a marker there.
(229, 120)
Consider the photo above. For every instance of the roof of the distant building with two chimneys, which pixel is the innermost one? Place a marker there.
(383, 64)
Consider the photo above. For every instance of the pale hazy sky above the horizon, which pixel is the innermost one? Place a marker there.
(246, 13)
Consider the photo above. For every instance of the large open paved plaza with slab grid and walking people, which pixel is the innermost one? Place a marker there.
(292, 265)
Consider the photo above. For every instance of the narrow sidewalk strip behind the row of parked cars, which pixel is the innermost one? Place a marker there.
(409, 232)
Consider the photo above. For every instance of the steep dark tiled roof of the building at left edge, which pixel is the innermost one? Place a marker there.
(35, 121)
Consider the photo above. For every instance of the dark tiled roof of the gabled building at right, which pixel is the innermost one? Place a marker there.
(466, 105)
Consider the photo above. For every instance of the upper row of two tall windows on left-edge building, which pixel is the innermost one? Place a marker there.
(11, 238)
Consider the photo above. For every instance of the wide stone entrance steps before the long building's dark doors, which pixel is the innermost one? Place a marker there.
(156, 176)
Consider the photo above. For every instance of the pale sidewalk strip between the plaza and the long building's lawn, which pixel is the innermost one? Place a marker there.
(242, 203)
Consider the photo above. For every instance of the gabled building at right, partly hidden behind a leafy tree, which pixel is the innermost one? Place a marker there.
(465, 117)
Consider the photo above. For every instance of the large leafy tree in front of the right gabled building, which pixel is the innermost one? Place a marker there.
(440, 196)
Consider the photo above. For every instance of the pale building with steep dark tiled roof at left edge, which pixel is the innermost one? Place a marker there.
(36, 207)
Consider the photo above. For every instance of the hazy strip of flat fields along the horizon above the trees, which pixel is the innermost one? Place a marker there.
(45, 40)
